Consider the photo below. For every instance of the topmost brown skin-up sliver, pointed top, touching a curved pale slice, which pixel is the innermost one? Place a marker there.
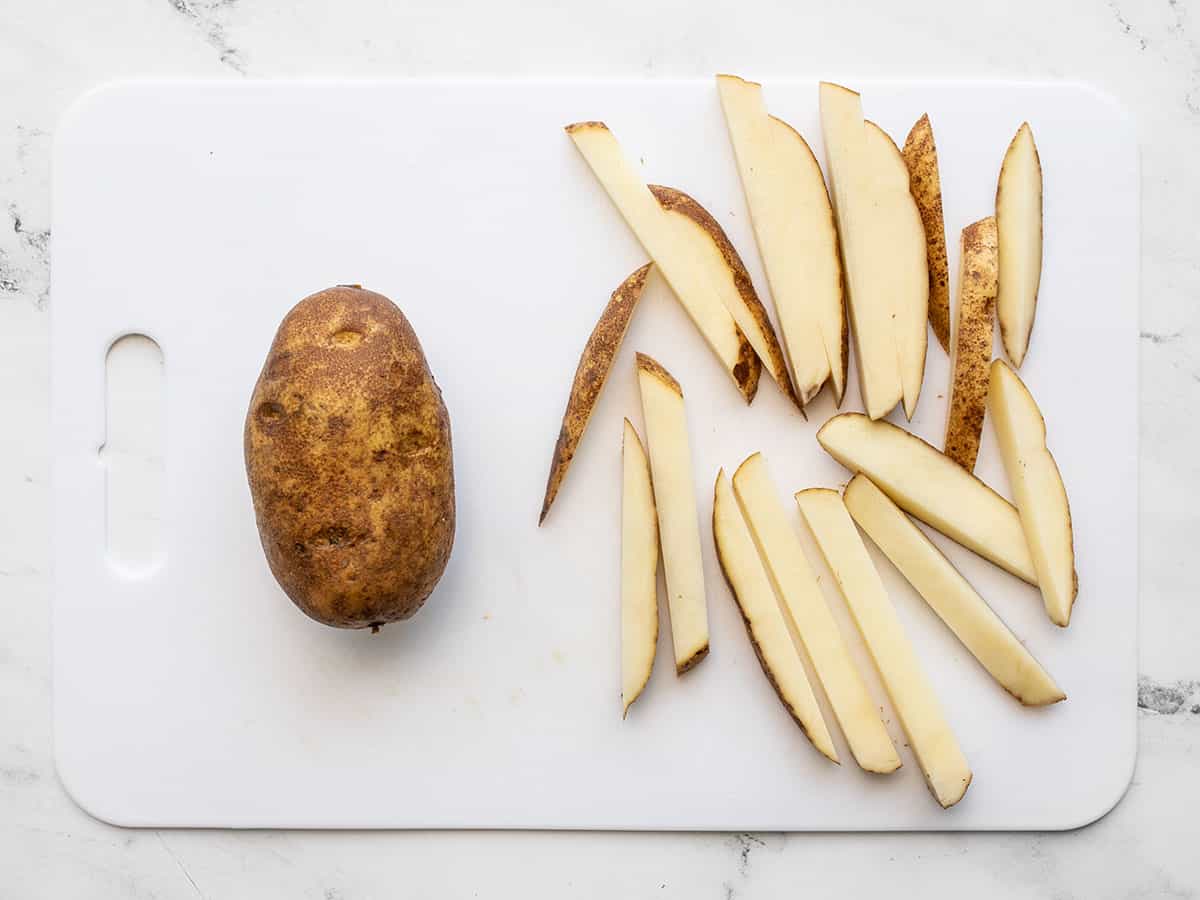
(921, 157)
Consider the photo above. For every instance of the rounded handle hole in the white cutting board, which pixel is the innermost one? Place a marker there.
(134, 455)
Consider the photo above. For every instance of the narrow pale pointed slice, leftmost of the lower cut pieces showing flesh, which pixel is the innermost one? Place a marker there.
(639, 571)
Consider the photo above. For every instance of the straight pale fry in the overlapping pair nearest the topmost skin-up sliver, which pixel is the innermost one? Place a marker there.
(865, 256)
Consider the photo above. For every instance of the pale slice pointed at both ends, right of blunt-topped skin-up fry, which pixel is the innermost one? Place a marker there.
(1019, 224)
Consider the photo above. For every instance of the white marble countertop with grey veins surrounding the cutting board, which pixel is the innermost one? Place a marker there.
(1147, 55)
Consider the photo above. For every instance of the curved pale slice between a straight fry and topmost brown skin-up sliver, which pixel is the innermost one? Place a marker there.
(901, 248)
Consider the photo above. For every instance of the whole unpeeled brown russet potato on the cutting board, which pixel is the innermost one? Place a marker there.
(349, 458)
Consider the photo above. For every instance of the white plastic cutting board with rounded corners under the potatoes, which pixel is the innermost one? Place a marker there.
(200, 213)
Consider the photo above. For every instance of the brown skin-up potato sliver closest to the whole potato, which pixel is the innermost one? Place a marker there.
(591, 376)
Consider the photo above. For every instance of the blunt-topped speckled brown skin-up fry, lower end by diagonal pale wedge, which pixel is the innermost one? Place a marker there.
(971, 352)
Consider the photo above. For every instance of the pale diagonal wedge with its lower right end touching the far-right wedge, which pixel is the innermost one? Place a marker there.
(933, 488)
